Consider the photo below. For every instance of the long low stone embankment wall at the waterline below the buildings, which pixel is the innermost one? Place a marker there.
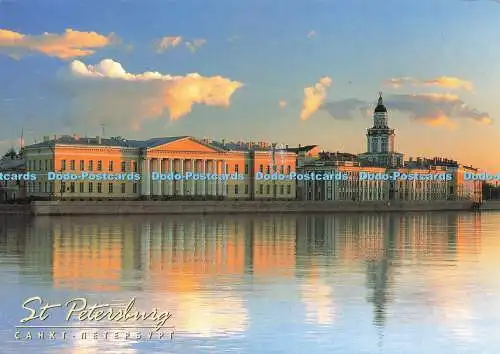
(231, 207)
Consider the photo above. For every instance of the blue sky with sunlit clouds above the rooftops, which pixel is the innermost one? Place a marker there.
(286, 71)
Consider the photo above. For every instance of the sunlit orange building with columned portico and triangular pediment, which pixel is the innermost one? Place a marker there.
(141, 160)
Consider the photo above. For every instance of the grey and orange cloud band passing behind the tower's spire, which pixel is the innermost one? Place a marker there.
(431, 109)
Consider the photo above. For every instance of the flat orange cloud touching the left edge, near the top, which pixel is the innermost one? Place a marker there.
(70, 44)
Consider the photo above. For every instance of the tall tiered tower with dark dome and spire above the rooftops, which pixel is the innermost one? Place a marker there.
(380, 140)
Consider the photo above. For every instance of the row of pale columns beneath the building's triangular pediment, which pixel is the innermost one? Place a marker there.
(184, 186)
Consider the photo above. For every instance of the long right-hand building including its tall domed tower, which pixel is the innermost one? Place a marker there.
(377, 165)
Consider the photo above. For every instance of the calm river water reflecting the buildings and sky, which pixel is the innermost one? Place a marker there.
(386, 283)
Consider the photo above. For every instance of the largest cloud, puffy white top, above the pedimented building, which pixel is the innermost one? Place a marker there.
(106, 92)
